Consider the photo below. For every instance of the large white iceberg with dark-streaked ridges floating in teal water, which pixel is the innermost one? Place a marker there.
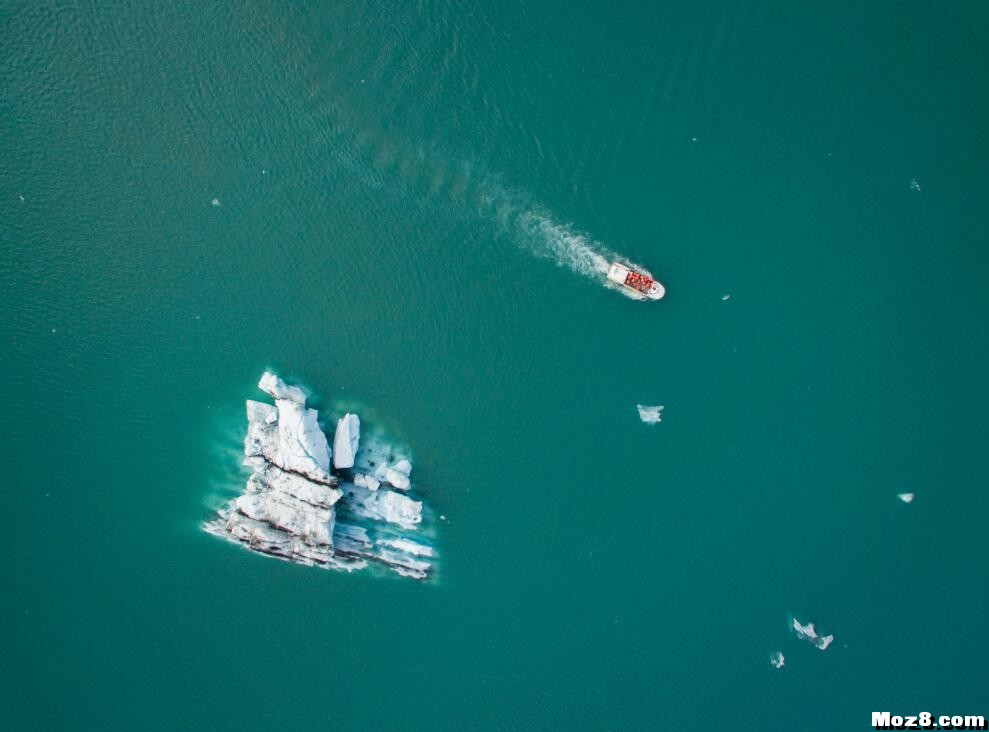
(296, 508)
